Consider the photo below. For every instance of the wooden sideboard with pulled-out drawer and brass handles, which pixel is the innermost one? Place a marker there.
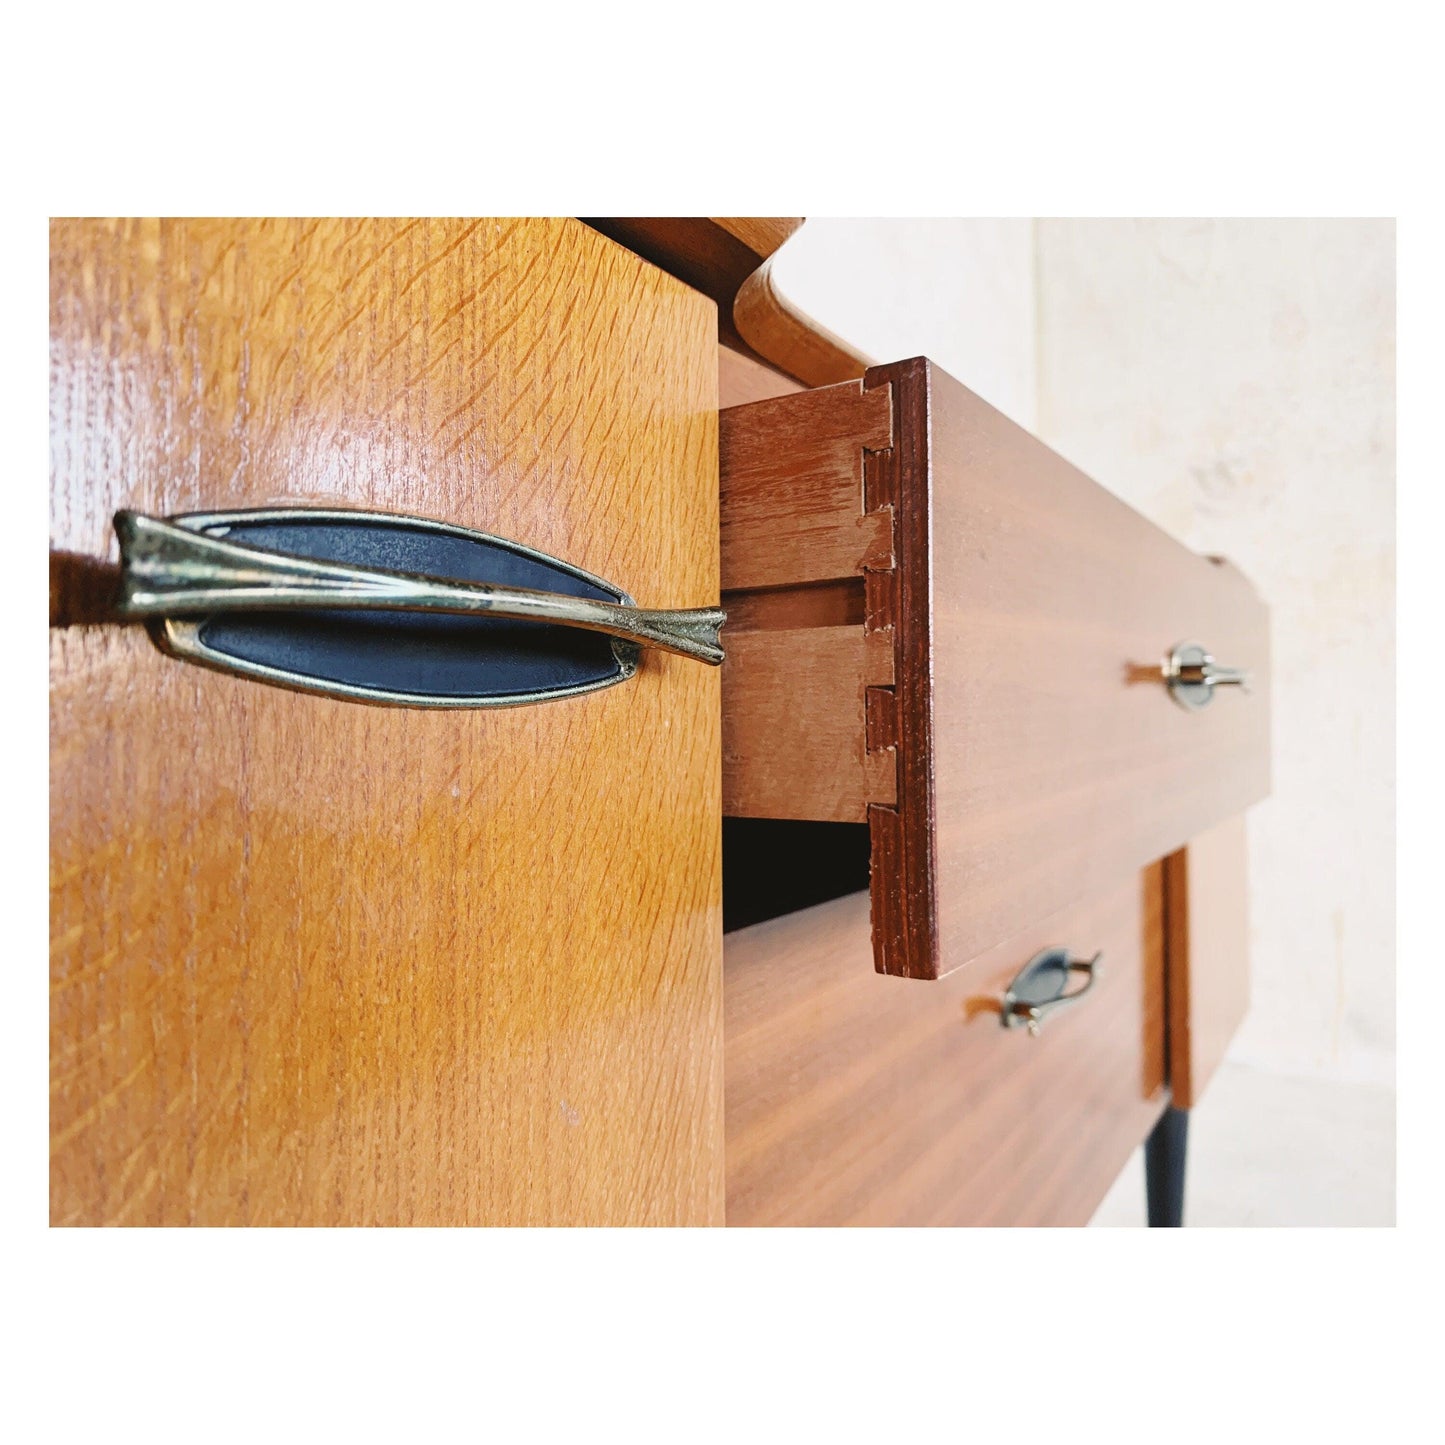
(927, 907)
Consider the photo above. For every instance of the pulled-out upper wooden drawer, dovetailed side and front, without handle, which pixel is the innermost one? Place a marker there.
(946, 631)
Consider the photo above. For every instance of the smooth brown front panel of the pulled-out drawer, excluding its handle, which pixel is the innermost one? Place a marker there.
(1058, 756)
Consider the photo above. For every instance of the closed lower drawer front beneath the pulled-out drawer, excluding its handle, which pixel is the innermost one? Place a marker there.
(859, 1099)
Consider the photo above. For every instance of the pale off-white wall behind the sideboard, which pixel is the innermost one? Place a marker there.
(1233, 381)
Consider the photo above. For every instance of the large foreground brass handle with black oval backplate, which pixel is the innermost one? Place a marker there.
(303, 596)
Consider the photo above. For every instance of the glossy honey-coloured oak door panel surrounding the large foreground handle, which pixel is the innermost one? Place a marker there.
(322, 963)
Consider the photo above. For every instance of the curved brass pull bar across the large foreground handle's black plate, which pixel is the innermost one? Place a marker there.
(178, 571)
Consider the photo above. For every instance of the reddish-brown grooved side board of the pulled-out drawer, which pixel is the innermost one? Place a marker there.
(797, 543)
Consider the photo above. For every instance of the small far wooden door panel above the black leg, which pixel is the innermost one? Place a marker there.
(1209, 917)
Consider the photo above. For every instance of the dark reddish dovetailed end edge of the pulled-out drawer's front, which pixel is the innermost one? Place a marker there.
(904, 884)
